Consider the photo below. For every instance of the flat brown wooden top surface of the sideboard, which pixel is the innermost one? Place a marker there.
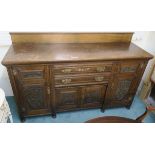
(26, 53)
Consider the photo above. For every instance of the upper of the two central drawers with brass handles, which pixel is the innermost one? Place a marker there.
(82, 68)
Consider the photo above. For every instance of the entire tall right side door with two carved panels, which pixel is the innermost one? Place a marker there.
(124, 84)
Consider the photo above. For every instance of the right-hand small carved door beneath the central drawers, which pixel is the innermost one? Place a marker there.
(93, 96)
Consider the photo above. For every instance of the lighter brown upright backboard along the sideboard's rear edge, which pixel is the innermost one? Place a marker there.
(70, 37)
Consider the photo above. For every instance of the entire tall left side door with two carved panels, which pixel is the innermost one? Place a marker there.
(33, 89)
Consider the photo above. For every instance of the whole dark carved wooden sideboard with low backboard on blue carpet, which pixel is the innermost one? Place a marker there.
(57, 72)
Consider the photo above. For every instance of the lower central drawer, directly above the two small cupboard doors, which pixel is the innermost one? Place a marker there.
(85, 79)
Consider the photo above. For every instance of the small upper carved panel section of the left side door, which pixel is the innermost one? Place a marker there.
(29, 72)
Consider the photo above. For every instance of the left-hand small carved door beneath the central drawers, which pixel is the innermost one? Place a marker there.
(67, 98)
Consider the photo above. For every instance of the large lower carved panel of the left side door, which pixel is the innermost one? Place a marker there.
(35, 98)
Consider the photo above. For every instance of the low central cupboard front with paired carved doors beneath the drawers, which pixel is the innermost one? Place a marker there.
(70, 98)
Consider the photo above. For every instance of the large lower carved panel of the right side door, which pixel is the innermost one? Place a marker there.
(120, 91)
